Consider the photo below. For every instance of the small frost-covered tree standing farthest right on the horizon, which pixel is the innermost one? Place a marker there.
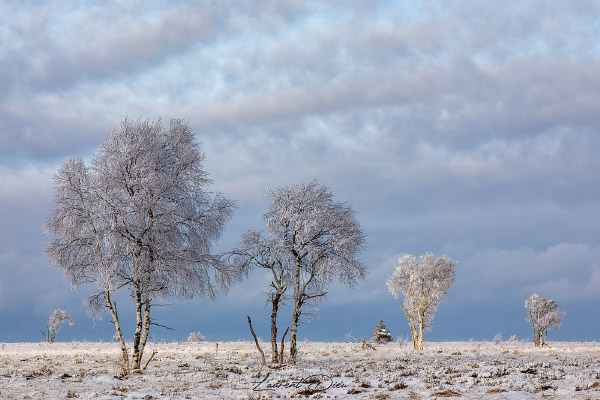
(542, 314)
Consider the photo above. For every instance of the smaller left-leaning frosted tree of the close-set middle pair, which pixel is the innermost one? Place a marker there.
(258, 251)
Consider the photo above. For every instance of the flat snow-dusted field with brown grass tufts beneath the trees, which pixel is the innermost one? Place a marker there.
(510, 370)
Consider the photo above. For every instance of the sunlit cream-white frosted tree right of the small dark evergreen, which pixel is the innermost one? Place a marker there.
(423, 284)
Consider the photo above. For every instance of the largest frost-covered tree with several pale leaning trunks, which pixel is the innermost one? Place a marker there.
(140, 218)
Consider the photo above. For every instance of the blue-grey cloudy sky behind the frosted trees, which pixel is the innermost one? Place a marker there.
(463, 128)
